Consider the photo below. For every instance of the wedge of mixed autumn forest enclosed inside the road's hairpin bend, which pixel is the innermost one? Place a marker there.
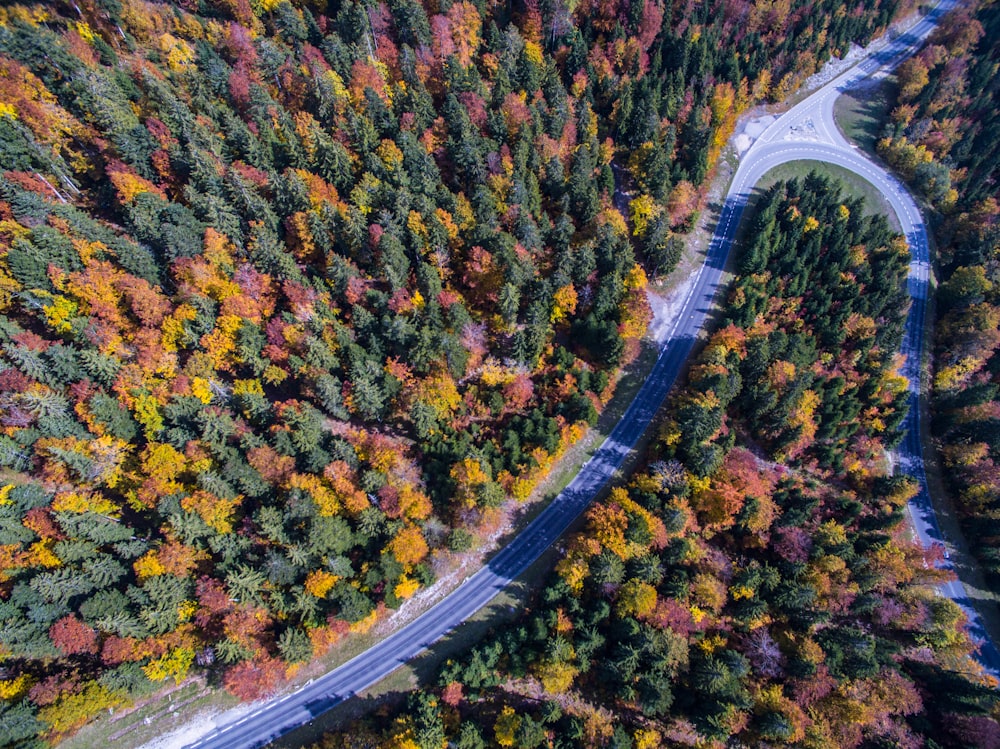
(754, 583)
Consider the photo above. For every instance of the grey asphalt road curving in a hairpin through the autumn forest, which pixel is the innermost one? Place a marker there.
(807, 131)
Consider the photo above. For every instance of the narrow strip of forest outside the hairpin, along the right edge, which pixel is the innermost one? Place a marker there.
(944, 136)
